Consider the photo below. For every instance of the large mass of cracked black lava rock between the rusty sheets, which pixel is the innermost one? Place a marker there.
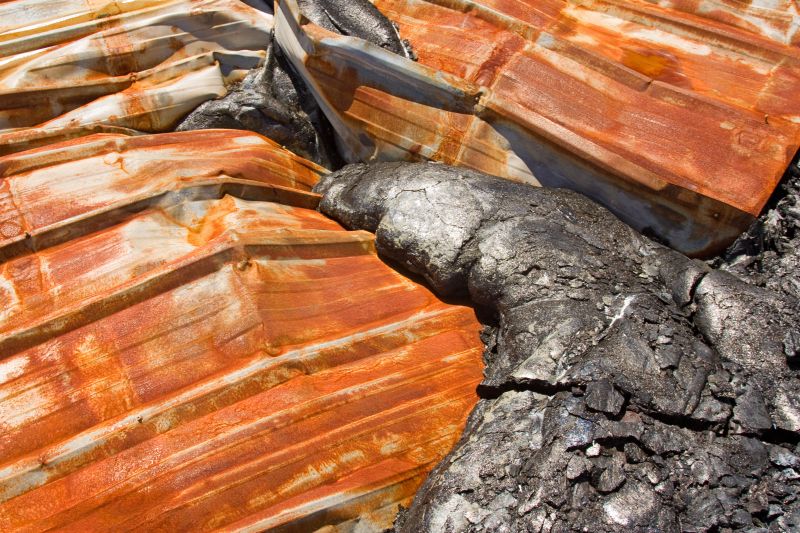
(627, 387)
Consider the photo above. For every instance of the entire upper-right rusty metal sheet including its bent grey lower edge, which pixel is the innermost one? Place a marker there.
(680, 117)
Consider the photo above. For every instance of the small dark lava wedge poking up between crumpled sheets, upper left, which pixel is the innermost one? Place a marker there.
(275, 104)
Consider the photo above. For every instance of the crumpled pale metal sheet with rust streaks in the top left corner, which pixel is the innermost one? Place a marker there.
(69, 67)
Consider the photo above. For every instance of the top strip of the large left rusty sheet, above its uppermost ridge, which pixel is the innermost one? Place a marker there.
(71, 188)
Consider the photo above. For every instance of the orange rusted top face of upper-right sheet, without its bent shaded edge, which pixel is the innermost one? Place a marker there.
(662, 130)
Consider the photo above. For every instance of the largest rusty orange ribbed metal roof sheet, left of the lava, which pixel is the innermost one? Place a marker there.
(186, 344)
